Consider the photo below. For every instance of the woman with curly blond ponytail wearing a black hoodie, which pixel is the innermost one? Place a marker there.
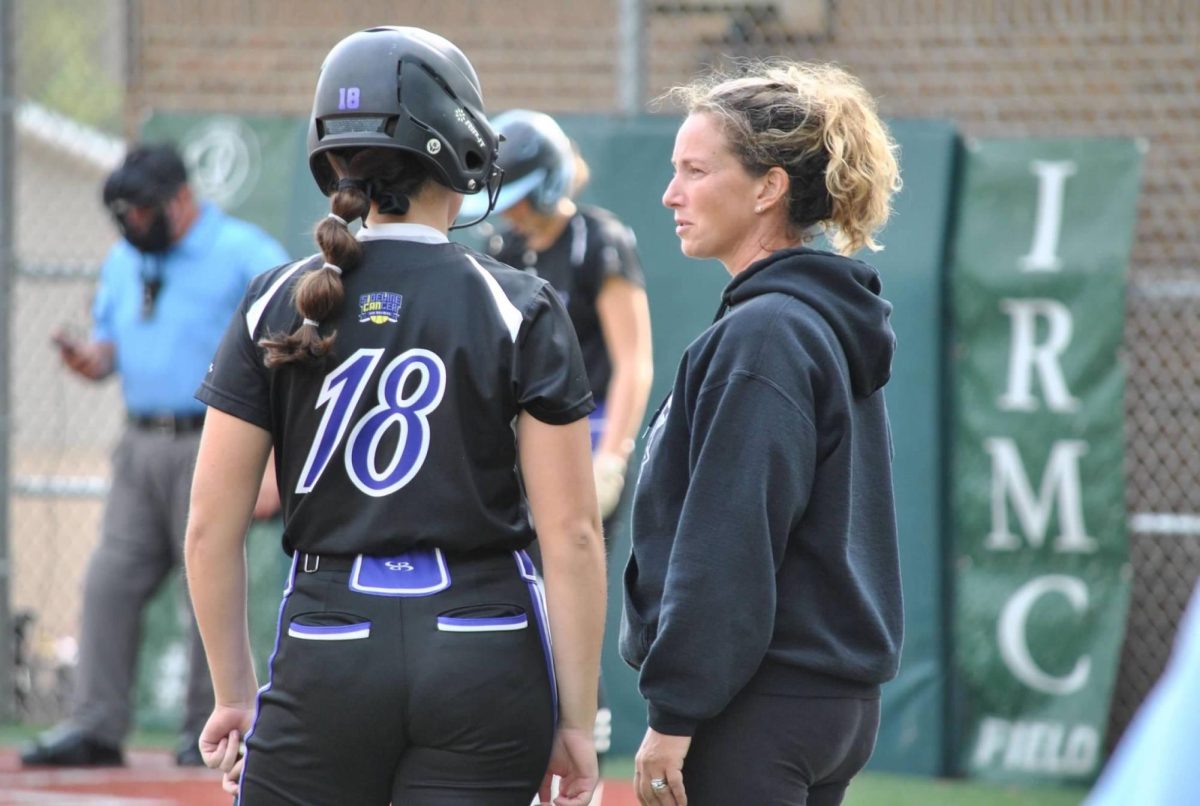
(763, 599)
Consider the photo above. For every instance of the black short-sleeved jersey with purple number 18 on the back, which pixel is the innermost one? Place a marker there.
(405, 436)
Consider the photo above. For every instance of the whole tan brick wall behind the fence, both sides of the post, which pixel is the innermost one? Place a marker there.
(1037, 68)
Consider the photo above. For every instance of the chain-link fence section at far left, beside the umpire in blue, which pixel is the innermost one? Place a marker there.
(69, 105)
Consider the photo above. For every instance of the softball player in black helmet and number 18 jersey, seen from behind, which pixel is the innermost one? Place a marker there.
(401, 380)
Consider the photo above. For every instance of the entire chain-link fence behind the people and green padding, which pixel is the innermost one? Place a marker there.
(1019, 69)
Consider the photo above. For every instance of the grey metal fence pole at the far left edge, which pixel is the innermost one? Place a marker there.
(8, 272)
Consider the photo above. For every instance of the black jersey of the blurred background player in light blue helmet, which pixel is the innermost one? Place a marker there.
(593, 248)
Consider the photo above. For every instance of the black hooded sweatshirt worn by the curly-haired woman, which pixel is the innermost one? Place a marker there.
(765, 533)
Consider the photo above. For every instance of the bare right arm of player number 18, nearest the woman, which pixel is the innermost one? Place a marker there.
(557, 470)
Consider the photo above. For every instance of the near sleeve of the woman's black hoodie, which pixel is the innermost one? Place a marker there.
(752, 464)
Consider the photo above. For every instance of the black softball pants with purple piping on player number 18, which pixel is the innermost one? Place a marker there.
(435, 700)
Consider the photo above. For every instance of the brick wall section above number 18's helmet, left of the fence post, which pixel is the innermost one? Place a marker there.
(263, 56)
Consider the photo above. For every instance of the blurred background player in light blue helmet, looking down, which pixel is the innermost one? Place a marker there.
(591, 260)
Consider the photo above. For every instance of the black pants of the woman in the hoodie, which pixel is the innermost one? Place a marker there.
(776, 750)
